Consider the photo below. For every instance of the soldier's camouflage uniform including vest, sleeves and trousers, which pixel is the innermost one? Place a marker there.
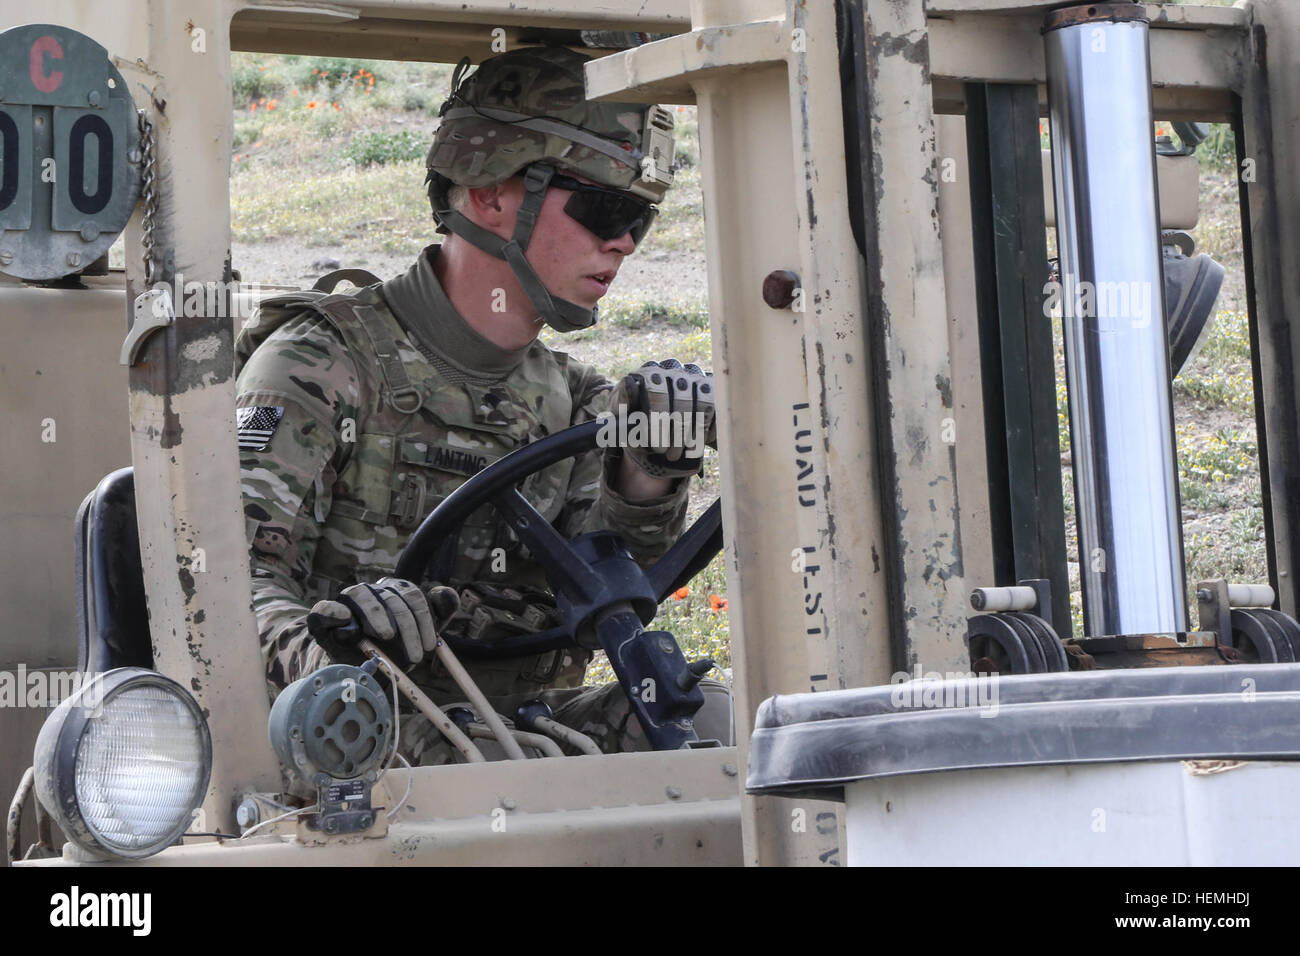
(376, 414)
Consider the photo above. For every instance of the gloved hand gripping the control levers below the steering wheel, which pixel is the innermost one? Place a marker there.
(392, 612)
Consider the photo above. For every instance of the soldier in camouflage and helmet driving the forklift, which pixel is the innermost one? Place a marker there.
(361, 413)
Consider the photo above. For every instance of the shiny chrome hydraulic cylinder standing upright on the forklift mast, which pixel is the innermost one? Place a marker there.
(1112, 302)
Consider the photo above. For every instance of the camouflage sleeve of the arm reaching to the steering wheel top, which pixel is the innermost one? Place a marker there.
(648, 527)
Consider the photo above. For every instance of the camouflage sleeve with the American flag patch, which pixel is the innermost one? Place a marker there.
(302, 386)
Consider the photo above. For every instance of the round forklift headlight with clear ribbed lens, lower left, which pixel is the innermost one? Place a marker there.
(124, 763)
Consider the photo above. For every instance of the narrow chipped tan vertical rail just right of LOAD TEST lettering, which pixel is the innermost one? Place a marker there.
(908, 315)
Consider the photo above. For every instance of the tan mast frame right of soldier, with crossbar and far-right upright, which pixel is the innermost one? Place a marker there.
(765, 76)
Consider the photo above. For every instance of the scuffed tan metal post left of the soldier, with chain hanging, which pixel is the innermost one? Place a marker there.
(183, 397)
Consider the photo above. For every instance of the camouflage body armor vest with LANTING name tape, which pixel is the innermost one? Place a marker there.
(419, 439)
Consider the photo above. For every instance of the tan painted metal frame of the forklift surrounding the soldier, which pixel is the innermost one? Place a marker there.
(844, 552)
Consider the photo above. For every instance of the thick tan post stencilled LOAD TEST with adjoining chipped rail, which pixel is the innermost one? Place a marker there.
(837, 552)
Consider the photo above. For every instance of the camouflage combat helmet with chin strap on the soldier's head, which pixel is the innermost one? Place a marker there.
(527, 111)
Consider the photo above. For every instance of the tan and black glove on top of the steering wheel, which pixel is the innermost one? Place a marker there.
(666, 418)
